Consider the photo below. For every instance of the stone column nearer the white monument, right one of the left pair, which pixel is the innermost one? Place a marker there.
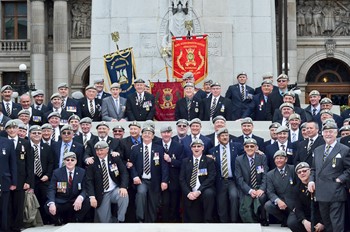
(60, 43)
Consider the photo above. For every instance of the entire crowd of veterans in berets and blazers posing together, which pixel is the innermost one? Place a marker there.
(299, 178)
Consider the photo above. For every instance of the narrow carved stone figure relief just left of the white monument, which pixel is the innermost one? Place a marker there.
(81, 19)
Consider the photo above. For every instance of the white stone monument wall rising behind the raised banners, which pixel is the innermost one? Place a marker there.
(242, 36)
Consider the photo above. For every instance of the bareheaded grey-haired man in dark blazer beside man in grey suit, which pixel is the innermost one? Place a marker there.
(306, 147)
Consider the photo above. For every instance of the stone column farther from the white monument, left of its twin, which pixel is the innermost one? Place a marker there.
(37, 57)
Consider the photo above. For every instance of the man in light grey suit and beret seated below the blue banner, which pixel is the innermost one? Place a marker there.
(114, 107)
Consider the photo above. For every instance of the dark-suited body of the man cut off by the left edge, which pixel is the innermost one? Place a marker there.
(8, 179)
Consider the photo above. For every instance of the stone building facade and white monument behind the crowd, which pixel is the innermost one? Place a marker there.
(59, 40)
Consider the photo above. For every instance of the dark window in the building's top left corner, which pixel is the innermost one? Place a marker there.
(14, 19)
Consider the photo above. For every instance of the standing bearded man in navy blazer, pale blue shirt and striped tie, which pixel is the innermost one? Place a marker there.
(227, 196)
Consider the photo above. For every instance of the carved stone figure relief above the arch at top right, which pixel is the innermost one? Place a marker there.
(323, 18)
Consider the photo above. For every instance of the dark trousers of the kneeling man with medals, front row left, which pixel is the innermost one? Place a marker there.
(66, 212)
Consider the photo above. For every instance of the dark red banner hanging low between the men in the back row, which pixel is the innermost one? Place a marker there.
(166, 95)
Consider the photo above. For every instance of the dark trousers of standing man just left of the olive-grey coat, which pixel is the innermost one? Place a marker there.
(16, 209)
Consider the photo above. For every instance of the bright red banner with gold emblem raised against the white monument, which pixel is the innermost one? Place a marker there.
(190, 55)
